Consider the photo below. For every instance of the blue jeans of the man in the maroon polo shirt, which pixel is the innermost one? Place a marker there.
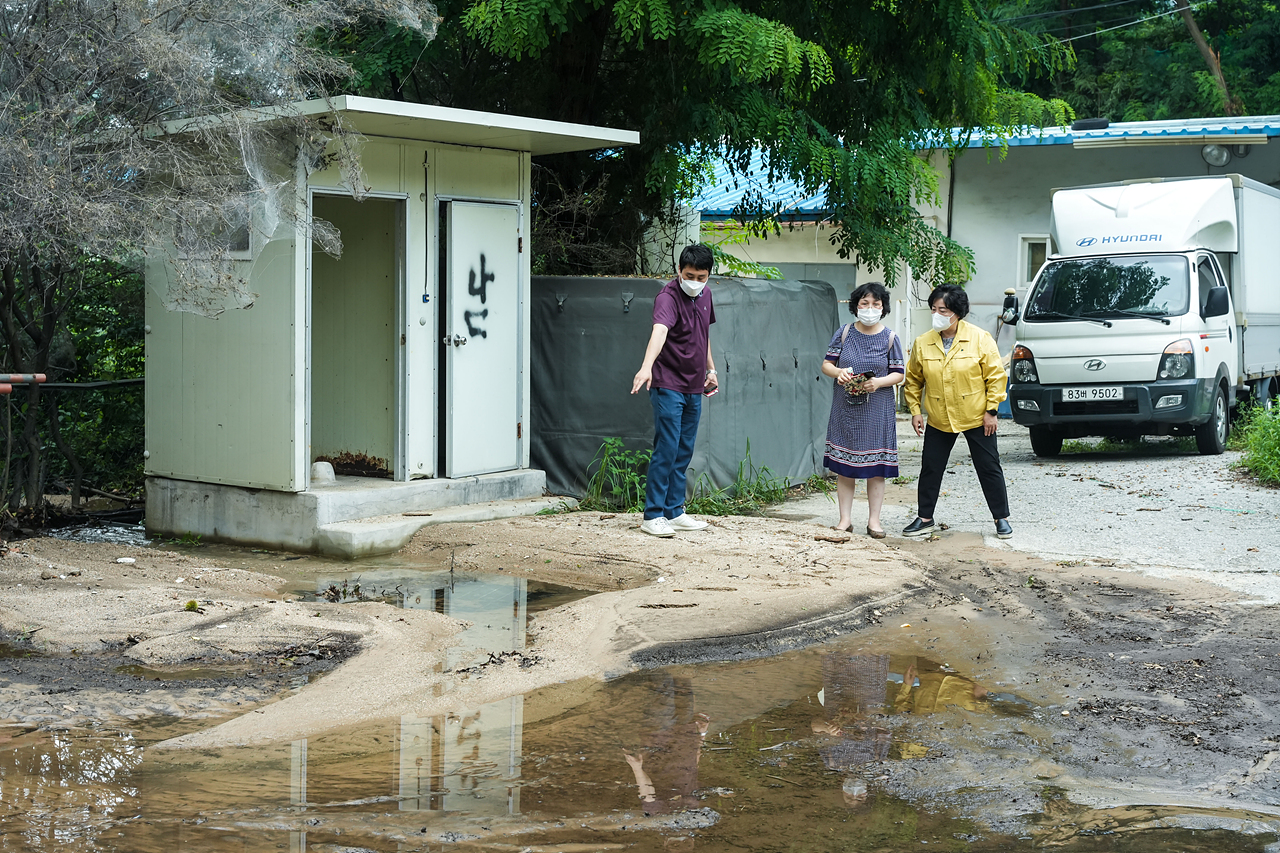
(675, 427)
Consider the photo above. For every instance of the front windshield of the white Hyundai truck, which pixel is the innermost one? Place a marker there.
(1095, 288)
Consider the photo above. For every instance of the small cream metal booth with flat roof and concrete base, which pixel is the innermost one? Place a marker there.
(408, 357)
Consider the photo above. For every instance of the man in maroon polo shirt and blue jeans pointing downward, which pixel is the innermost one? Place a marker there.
(678, 371)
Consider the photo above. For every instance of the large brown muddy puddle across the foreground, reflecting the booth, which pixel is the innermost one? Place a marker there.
(799, 752)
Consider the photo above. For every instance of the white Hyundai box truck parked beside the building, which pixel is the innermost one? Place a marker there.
(1156, 312)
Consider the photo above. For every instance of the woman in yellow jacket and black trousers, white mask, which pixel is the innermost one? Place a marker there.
(957, 373)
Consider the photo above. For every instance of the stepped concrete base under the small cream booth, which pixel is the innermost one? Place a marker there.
(350, 518)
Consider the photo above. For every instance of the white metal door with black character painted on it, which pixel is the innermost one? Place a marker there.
(482, 341)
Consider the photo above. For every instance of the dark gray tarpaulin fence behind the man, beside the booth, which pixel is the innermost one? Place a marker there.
(769, 341)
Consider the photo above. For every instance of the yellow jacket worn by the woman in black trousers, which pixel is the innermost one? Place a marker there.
(961, 384)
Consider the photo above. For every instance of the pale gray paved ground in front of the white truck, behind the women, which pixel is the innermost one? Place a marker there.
(1165, 510)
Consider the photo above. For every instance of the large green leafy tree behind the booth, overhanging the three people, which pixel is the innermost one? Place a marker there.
(842, 97)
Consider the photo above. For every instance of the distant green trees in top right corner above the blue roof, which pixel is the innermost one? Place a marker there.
(1137, 61)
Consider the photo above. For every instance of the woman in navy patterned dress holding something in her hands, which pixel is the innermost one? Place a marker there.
(862, 434)
